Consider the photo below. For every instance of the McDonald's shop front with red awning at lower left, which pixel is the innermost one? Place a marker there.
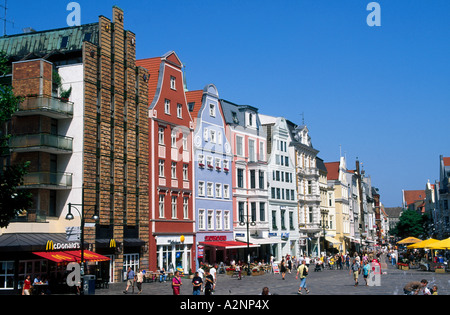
(43, 255)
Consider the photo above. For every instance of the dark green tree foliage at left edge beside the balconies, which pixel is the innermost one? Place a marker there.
(13, 201)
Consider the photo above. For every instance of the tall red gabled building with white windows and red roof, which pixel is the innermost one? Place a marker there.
(171, 198)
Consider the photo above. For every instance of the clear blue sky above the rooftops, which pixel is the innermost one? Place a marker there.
(382, 93)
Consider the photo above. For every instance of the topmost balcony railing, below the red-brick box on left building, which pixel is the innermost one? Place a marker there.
(47, 106)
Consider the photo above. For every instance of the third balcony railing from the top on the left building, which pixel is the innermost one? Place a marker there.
(47, 180)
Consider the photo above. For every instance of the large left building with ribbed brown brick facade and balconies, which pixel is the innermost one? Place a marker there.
(87, 147)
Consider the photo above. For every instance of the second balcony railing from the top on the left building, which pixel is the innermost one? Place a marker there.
(41, 142)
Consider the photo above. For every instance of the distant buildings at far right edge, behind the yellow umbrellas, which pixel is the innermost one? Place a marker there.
(434, 201)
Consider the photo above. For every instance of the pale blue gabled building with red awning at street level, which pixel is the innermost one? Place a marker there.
(212, 176)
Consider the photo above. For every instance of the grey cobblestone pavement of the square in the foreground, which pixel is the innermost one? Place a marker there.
(327, 282)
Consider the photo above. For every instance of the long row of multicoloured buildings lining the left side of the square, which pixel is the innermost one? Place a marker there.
(159, 175)
